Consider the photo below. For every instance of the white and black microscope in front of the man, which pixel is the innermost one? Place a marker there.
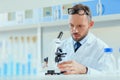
(58, 55)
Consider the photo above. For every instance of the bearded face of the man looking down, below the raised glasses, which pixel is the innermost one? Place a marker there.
(79, 26)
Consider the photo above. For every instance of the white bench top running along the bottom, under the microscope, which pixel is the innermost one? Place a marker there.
(42, 76)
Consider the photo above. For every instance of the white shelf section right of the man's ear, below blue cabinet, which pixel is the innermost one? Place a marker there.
(107, 20)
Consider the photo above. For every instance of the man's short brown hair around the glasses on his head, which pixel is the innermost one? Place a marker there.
(85, 8)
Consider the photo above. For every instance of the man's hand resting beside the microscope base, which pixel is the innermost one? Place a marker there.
(72, 67)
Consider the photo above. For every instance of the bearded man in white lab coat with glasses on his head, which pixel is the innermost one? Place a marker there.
(84, 51)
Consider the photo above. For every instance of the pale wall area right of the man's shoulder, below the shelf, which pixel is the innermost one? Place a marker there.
(111, 35)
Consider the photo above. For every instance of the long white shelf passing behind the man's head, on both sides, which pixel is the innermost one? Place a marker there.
(106, 20)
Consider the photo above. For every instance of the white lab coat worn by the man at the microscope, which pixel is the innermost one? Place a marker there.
(89, 54)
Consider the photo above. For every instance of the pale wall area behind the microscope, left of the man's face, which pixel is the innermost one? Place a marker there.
(48, 36)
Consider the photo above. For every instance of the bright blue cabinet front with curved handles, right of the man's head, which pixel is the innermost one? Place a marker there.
(104, 7)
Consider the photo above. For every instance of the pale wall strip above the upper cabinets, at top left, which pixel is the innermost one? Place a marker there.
(15, 5)
